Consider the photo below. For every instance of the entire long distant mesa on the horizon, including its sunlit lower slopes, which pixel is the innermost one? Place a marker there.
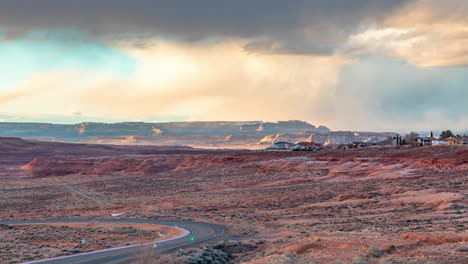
(215, 134)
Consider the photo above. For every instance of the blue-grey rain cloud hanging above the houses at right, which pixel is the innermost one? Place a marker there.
(378, 93)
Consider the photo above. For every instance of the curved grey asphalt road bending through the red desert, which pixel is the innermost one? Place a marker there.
(201, 231)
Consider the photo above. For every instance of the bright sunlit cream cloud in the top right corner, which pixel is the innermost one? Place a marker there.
(426, 33)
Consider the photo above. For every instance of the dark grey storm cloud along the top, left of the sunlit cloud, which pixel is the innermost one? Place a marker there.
(301, 26)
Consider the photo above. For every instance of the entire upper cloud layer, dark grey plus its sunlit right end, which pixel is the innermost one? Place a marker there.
(408, 29)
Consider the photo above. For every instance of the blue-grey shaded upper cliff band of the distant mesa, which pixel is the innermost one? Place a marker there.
(221, 128)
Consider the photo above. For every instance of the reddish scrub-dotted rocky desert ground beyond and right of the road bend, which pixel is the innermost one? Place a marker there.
(370, 205)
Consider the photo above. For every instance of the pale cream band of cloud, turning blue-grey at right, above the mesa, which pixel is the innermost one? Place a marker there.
(224, 82)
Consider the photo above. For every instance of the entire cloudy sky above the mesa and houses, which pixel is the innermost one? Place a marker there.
(375, 65)
